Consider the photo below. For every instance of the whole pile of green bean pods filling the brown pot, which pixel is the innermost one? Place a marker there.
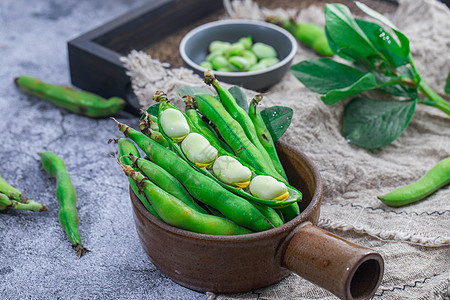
(212, 169)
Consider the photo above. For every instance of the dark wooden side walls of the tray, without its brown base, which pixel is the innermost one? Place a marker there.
(94, 56)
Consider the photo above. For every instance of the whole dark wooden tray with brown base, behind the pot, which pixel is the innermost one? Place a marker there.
(157, 28)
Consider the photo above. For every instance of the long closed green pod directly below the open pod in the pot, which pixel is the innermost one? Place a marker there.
(205, 189)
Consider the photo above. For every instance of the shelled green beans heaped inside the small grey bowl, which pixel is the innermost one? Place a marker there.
(241, 56)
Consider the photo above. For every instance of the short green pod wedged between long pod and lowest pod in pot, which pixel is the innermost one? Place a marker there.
(164, 180)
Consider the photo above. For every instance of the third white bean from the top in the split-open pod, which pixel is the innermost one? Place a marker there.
(231, 171)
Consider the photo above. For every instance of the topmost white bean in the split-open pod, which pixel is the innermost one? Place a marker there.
(174, 124)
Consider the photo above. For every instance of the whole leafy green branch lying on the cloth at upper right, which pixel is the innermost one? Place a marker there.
(377, 63)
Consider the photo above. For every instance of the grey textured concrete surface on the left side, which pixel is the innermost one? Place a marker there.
(36, 258)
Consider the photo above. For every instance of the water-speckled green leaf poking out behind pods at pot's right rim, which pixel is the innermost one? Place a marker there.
(277, 120)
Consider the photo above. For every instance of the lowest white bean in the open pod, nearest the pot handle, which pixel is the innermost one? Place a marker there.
(268, 188)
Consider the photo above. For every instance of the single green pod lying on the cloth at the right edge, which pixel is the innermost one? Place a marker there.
(434, 179)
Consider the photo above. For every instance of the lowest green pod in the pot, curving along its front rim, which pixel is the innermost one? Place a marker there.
(176, 213)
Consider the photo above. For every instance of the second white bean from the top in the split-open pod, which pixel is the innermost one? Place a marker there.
(198, 149)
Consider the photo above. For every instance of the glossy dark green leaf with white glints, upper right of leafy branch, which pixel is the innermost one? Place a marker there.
(385, 44)
